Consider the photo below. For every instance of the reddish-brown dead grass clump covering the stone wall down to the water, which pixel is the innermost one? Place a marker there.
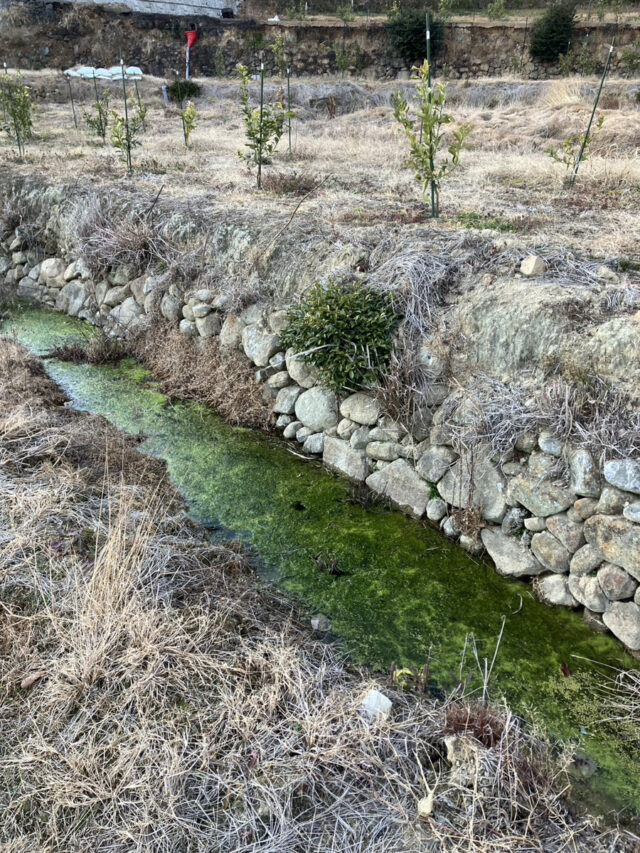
(204, 372)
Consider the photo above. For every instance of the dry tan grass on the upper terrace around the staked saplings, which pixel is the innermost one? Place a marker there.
(507, 174)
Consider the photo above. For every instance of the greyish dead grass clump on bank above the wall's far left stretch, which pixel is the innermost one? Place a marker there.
(106, 235)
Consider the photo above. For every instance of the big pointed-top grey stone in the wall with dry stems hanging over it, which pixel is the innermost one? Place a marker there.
(485, 490)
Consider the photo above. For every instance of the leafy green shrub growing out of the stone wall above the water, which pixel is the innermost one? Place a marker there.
(345, 330)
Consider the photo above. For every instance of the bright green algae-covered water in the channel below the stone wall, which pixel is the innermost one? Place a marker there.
(395, 590)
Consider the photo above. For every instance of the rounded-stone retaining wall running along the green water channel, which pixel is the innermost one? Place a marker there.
(577, 538)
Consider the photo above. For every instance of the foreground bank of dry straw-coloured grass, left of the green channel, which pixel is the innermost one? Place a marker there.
(156, 698)
